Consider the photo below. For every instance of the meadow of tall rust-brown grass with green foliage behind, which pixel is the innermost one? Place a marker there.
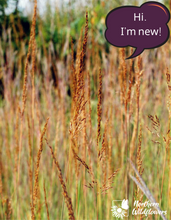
(73, 110)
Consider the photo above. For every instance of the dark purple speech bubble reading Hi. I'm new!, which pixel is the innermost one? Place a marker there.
(143, 27)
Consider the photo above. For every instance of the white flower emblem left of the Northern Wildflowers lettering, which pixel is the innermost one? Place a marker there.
(120, 208)
